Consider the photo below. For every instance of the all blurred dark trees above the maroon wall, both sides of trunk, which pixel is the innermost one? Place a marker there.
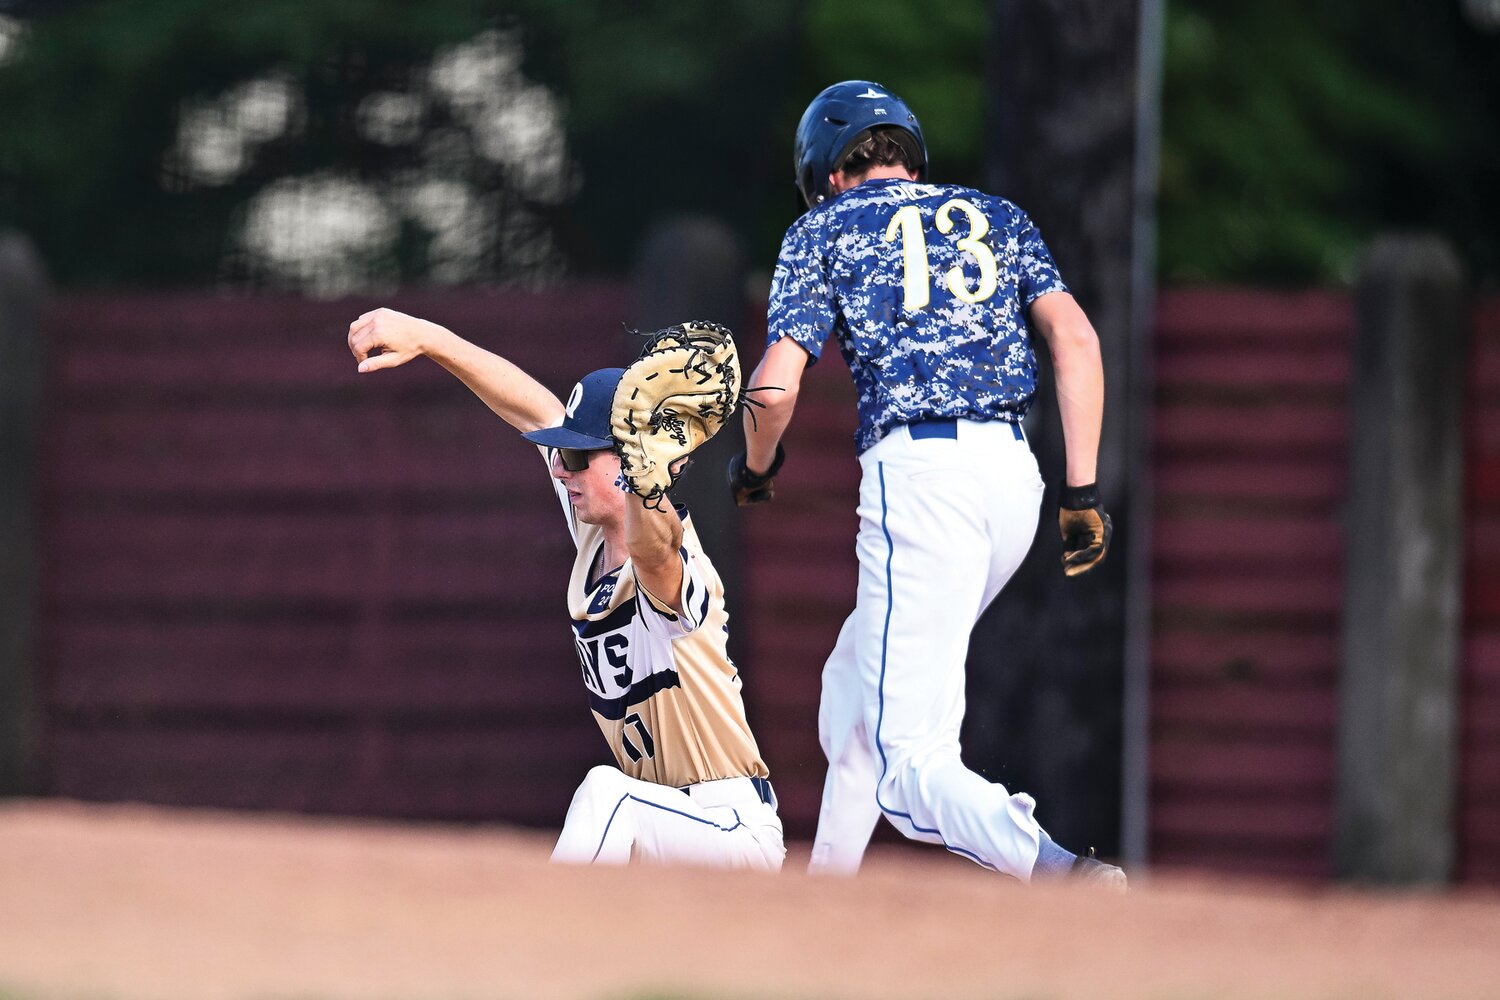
(361, 145)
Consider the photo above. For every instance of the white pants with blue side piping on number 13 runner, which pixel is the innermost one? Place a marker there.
(944, 522)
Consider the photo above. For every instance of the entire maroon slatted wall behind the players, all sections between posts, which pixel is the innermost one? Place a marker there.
(272, 584)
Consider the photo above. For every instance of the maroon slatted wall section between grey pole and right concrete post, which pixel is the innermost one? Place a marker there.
(1250, 449)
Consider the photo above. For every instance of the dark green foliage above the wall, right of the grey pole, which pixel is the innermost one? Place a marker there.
(1295, 133)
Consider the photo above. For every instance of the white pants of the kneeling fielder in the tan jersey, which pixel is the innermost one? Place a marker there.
(617, 819)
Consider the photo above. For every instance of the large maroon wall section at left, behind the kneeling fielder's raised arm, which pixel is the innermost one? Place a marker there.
(272, 584)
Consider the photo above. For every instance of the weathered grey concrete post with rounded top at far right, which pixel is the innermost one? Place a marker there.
(1403, 600)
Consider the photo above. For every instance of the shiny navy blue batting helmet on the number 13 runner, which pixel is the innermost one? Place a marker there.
(838, 121)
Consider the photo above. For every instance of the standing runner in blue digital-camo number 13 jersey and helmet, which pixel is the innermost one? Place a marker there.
(934, 293)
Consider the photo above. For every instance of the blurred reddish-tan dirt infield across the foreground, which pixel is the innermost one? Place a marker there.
(134, 902)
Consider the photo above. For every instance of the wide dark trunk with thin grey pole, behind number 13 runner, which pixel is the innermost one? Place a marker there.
(1058, 668)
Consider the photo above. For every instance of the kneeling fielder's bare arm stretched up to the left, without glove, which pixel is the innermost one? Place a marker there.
(385, 338)
